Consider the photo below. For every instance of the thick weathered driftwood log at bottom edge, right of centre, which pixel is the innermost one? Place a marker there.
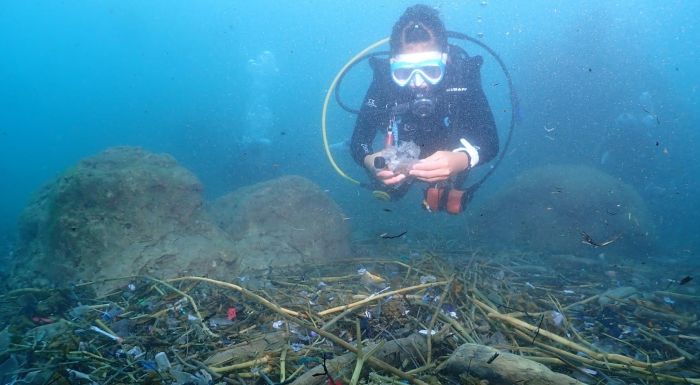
(501, 368)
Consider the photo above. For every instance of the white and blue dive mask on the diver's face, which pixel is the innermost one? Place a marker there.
(430, 66)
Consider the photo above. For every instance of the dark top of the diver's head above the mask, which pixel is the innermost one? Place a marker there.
(419, 23)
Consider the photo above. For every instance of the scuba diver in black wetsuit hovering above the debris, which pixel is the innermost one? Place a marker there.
(429, 93)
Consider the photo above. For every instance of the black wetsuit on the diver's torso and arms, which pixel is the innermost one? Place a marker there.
(461, 111)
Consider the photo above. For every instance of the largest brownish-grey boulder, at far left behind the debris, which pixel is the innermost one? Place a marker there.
(122, 212)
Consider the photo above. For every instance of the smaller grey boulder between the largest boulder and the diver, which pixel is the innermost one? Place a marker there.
(283, 222)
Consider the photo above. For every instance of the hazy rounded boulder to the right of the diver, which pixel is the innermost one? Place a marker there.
(553, 209)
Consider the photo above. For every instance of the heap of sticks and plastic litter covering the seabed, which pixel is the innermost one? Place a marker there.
(427, 320)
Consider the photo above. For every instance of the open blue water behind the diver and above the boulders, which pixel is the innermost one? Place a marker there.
(175, 76)
